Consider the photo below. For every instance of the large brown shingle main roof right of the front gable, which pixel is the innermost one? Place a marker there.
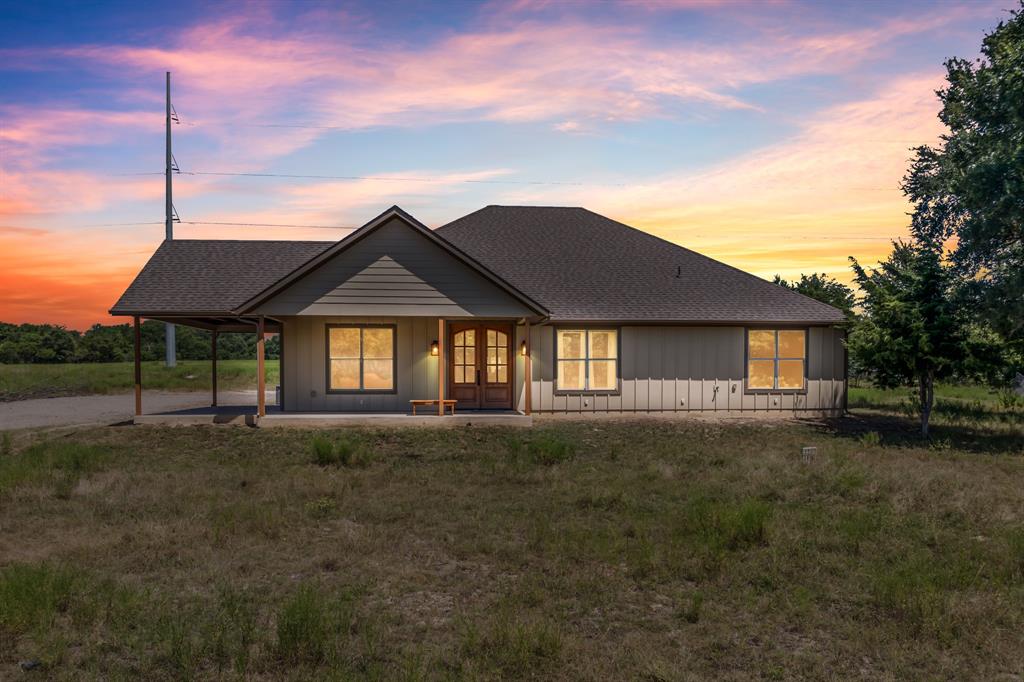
(584, 267)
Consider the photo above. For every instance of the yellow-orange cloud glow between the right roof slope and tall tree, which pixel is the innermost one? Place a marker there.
(799, 206)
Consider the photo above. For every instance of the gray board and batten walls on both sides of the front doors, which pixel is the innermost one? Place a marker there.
(663, 369)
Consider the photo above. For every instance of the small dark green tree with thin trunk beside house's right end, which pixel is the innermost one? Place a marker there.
(913, 331)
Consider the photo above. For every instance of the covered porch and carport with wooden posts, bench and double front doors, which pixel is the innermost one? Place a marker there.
(433, 367)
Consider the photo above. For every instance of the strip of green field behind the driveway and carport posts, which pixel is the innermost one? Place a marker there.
(19, 382)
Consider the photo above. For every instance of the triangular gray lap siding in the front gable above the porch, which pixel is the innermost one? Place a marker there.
(395, 271)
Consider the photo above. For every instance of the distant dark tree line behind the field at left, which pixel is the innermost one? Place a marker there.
(116, 344)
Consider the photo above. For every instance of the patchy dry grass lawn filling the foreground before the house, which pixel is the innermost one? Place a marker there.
(653, 549)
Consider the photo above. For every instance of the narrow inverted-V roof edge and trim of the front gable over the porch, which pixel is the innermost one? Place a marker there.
(394, 212)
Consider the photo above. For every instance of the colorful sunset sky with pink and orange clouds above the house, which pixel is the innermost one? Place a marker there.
(771, 136)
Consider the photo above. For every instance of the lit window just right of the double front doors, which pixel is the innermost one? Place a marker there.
(588, 360)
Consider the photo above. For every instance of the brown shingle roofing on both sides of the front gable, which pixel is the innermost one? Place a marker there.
(578, 265)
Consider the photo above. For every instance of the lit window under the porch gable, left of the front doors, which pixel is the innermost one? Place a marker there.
(361, 359)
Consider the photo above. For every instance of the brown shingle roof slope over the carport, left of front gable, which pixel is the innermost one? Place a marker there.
(211, 276)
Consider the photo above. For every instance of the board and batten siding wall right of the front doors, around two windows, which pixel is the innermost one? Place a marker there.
(689, 369)
